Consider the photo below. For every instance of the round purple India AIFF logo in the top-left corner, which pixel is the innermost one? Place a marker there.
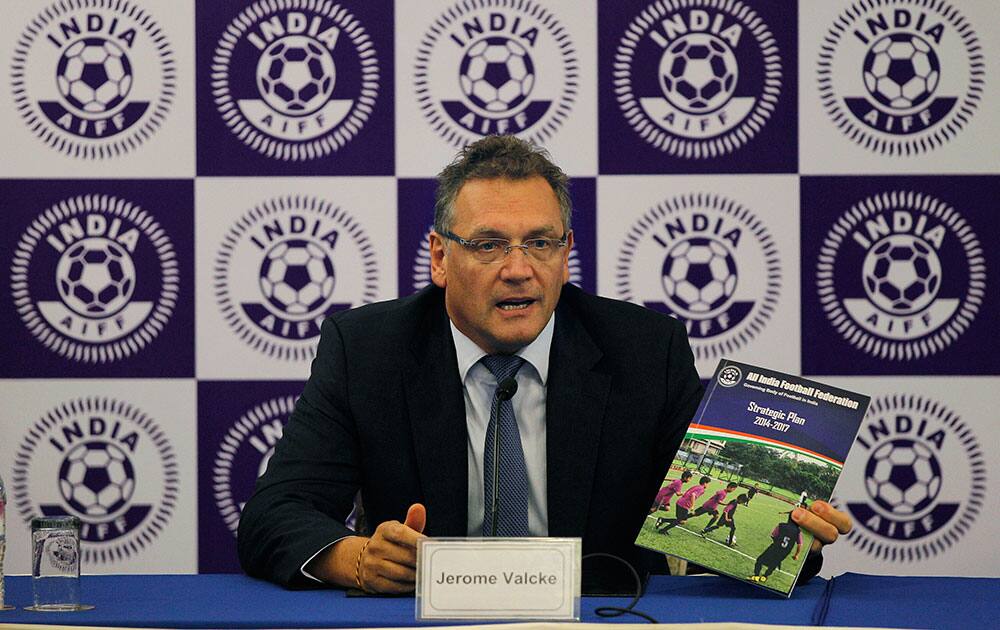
(93, 78)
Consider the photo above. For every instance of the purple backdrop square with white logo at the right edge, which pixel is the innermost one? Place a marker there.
(896, 275)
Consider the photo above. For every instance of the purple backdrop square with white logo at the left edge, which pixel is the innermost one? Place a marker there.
(98, 278)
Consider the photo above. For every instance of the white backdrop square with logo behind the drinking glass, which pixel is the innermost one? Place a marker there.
(119, 454)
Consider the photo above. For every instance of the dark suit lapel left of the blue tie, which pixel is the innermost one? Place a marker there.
(437, 416)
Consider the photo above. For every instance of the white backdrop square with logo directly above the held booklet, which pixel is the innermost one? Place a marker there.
(718, 252)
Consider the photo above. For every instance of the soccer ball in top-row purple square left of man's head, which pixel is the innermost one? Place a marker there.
(295, 75)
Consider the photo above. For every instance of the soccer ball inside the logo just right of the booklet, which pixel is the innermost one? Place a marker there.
(903, 477)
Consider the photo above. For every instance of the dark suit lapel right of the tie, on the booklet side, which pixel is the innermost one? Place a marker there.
(576, 398)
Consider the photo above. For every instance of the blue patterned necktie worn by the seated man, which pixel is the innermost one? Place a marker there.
(512, 475)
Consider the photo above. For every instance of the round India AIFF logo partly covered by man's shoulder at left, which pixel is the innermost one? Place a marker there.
(288, 264)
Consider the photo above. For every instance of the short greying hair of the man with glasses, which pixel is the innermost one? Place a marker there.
(496, 157)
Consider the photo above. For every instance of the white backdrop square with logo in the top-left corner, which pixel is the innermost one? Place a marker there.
(139, 122)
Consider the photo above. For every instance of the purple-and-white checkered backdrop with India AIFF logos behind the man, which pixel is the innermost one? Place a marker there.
(188, 188)
